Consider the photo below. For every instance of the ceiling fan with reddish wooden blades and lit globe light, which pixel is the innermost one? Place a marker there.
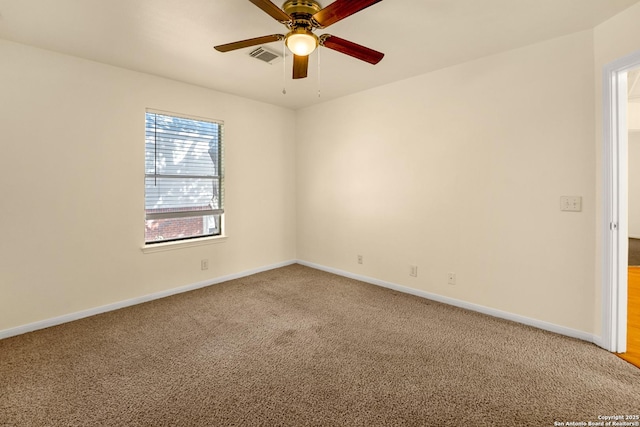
(302, 17)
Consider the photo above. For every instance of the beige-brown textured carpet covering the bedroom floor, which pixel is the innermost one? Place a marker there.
(296, 346)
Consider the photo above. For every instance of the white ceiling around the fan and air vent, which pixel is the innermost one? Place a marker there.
(174, 39)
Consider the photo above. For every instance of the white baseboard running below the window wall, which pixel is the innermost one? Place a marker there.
(23, 329)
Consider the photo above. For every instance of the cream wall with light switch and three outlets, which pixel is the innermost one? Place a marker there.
(461, 170)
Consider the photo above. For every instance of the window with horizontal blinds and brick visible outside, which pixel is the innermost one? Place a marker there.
(183, 178)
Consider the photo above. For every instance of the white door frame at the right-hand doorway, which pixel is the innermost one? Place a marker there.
(615, 224)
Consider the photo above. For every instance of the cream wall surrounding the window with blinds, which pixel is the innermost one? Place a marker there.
(72, 169)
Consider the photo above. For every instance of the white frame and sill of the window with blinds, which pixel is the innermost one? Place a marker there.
(197, 240)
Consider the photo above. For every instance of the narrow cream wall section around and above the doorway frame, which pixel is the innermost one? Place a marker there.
(613, 39)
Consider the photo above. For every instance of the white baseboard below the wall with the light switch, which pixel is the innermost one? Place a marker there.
(562, 330)
